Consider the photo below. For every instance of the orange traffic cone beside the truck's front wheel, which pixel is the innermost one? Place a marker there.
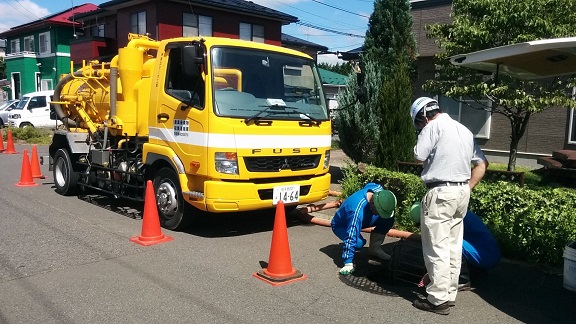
(151, 232)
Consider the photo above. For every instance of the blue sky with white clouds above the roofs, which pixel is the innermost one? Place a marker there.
(344, 17)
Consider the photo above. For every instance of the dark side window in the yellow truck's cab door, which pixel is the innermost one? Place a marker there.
(186, 86)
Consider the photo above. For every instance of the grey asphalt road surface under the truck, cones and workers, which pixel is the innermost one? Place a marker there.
(67, 260)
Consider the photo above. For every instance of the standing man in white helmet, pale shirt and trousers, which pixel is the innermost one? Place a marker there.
(447, 149)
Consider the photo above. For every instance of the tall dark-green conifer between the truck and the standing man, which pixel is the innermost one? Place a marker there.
(380, 131)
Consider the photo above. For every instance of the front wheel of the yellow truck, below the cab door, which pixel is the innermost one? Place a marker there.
(172, 209)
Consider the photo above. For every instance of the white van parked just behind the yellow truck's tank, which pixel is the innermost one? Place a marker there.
(33, 110)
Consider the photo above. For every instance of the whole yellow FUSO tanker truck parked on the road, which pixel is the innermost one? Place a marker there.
(217, 124)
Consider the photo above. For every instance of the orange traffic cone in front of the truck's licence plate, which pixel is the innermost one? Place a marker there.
(280, 270)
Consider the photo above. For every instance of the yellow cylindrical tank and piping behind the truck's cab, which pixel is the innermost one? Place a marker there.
(93, 97)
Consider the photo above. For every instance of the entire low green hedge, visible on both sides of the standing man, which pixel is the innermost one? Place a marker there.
(529, 224)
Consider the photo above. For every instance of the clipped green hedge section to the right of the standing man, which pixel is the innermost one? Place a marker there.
(529, 224)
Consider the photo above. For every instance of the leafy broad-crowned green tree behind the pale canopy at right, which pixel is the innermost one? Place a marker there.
(482, 24)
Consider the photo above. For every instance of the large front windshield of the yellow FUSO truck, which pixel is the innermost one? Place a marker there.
(246, 82)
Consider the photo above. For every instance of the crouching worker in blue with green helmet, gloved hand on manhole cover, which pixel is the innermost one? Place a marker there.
(369, 206)
